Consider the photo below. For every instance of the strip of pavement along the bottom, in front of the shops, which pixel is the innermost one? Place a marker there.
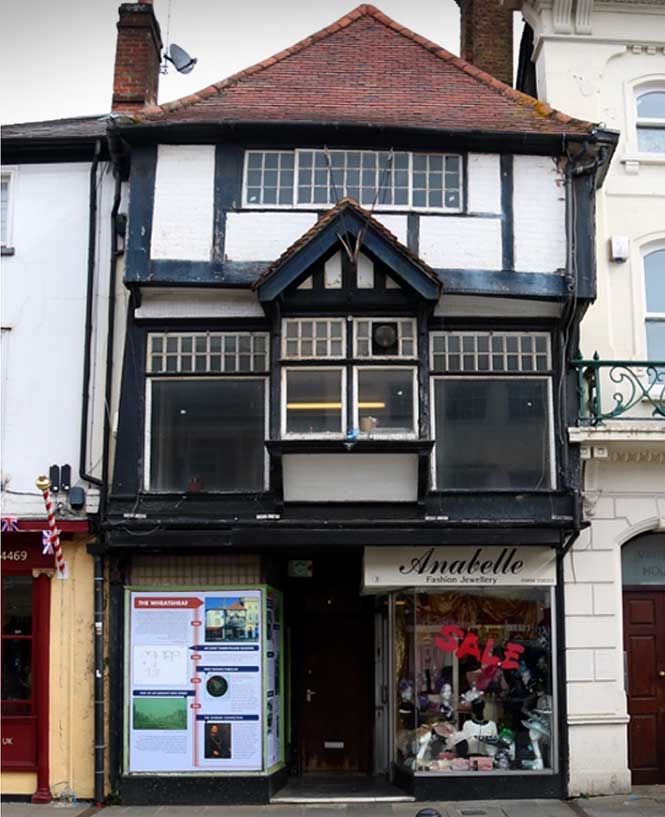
(642, 802)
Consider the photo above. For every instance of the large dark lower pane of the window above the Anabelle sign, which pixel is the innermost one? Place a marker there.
(492, 434)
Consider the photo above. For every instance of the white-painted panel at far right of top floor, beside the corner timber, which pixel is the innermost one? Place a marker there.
(539, 215)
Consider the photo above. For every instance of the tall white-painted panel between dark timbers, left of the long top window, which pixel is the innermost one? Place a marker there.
(182, 226)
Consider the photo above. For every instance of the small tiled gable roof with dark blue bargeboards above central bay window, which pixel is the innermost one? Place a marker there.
(347, 219)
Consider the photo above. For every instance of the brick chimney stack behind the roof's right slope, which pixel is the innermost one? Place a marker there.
(486, 37)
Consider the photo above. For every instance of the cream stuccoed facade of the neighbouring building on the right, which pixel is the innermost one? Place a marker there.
(593, 59)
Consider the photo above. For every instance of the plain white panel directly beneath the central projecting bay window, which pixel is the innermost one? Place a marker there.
(350, 477)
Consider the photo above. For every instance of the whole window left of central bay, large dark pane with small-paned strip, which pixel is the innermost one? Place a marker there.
(206, 412)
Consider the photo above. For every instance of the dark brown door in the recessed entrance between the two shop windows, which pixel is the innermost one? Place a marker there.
(333, 676)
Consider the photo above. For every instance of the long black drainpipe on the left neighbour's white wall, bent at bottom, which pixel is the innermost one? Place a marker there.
(87, 352)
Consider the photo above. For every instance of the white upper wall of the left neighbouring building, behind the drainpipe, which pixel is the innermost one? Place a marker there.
(43, 313)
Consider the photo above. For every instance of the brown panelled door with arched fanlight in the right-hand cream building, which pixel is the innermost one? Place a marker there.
(644, 645)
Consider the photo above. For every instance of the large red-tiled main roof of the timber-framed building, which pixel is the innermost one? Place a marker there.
(366, 69)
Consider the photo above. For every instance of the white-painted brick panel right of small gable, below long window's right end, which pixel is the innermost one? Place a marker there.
(461, 243)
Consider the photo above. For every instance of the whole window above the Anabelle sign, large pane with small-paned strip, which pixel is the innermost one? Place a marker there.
(492, 410)
